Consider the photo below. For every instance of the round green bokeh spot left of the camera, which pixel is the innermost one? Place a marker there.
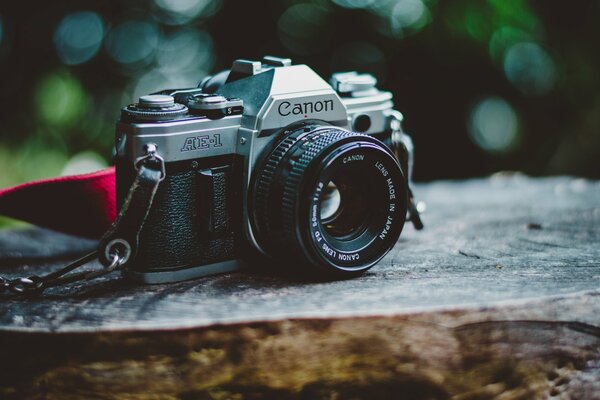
(60, 100)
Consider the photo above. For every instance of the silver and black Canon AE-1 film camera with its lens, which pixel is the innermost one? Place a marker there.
(268, 161)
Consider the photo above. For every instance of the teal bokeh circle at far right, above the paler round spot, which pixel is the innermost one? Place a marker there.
(530, 68)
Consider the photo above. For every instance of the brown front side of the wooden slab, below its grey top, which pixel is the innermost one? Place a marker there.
(436, 355)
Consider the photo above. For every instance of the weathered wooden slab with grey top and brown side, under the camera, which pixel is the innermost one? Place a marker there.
(497, 298)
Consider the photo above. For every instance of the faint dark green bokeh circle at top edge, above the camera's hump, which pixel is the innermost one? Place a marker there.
(303, 28)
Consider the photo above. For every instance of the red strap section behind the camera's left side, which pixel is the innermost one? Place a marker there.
(83, 205)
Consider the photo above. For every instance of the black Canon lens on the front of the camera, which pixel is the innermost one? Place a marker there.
(326, 197)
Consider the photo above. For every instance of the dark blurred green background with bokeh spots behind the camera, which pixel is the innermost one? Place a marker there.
(484, 85)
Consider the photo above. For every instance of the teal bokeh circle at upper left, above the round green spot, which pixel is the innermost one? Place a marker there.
(78, 37)
